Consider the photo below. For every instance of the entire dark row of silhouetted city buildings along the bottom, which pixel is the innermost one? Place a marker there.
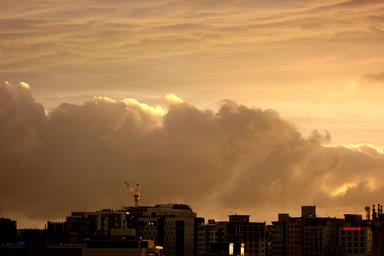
(176, 230)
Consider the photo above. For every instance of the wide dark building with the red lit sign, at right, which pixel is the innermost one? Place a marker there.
(310, 235)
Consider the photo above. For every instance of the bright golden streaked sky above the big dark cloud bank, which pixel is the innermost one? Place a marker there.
(318, 63)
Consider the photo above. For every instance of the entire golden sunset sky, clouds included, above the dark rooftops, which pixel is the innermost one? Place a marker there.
(239, 106)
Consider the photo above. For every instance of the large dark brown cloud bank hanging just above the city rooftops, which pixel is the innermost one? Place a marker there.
(237, 159)
